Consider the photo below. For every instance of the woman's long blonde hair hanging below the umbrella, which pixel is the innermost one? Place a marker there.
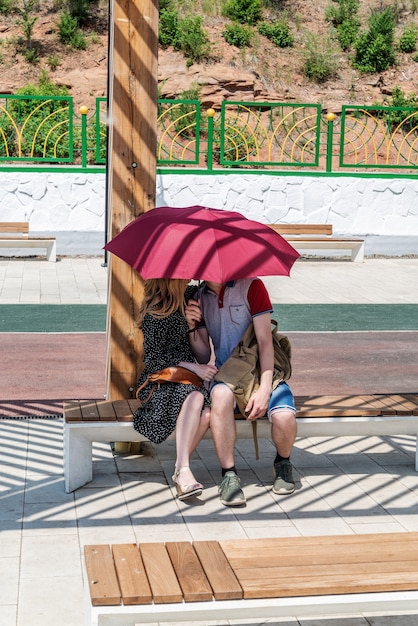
(162, 296)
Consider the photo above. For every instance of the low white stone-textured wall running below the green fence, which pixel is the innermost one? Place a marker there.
(72, 205)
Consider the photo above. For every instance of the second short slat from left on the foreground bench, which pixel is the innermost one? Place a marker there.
(131, 574)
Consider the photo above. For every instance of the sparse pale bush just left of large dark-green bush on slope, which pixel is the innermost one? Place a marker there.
(320, 58)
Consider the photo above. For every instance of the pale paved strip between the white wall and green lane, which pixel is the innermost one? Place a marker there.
(75, 280)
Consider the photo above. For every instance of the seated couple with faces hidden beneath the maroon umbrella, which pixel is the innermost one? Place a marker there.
(180, 324)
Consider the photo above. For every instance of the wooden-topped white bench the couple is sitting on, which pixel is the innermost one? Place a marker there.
(86, 421)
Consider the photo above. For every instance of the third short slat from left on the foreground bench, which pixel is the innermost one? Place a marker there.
(161, 575)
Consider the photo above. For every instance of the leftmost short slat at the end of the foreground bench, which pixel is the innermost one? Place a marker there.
(102, 580)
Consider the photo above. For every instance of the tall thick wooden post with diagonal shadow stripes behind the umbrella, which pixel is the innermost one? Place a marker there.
(133, 89)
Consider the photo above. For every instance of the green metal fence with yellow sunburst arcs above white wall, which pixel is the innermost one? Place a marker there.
(270, 136)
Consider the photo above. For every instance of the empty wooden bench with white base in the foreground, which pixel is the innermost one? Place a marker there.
(250, 578)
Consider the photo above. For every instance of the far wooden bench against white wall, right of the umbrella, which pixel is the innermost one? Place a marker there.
(319, 236)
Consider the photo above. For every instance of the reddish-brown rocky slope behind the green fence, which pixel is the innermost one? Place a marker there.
(264, 72)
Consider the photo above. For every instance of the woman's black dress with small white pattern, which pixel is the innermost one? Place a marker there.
(166, 343)
